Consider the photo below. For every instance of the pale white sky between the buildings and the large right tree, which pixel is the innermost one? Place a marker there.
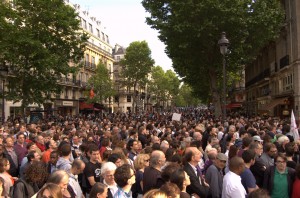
(124, 22)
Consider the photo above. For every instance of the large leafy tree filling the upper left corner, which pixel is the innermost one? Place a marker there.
(38, 41)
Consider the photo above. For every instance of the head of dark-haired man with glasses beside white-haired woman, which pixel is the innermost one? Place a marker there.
(124, 176)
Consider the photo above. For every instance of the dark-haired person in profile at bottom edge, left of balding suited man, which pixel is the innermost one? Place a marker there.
(182, 180)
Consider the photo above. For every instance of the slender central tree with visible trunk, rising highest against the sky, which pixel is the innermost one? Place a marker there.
(137, 64)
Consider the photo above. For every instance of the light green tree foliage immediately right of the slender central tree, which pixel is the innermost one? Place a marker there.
(164, 85)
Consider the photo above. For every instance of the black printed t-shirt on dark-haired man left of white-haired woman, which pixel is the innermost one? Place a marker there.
(92, 170)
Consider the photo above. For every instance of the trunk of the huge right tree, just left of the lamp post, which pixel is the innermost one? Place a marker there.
(215, 93)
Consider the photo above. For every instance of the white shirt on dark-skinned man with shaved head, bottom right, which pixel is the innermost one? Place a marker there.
(232, 186)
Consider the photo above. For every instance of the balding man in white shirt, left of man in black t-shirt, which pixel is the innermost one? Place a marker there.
(76, 169)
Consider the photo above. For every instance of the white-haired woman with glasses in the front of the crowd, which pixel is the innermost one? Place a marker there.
(107, 172)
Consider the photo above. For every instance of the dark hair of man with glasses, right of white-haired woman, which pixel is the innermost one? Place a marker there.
(122, 175)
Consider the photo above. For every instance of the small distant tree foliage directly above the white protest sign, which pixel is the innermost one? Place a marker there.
(185, 98)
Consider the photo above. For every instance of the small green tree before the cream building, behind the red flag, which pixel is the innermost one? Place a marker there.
(101, 84)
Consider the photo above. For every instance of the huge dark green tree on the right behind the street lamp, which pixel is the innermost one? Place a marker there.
(191, 30)
